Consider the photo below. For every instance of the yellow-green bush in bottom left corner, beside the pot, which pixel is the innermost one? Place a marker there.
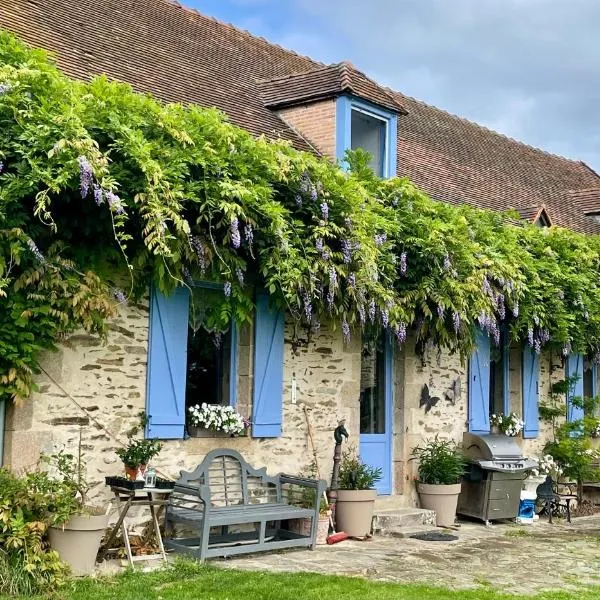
(27, 566)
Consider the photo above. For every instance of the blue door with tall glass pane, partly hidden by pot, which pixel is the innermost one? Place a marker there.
(376, 408)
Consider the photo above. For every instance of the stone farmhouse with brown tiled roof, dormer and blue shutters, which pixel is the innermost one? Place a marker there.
(390, 398)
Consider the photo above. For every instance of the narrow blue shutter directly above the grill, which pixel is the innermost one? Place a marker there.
(479, 385)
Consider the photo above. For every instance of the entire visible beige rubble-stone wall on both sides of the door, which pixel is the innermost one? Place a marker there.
(108, 381)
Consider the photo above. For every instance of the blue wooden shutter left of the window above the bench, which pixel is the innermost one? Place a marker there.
(167, 364)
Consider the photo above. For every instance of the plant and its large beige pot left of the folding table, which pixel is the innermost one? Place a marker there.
(76, 528)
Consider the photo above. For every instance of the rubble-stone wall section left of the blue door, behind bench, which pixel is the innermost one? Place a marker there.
(109, 382)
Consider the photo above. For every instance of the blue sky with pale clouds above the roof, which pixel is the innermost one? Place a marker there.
(529, 69)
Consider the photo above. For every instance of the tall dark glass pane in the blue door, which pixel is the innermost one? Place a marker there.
(372, 386)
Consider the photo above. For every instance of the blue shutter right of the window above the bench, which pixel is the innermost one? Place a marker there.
(267, 403)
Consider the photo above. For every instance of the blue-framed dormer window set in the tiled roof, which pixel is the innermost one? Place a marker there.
(380, 132)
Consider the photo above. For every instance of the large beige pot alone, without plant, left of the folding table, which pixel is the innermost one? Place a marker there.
(78, 541)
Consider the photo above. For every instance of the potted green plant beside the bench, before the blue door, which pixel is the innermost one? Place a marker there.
(356, 495)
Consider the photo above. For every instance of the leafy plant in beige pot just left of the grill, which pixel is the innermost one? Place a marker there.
(441, 466)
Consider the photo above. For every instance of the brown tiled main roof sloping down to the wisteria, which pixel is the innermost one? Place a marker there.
(179, 55)
